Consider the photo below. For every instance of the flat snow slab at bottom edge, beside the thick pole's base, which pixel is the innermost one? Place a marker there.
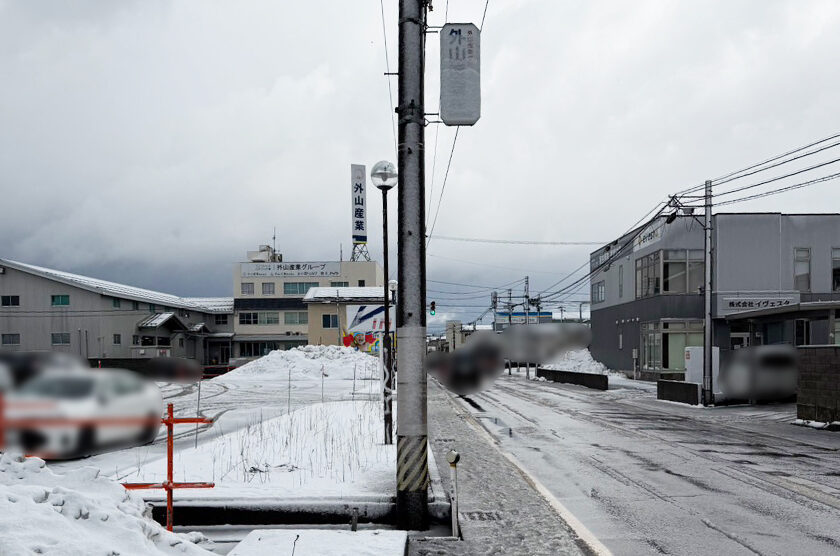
(322, 542)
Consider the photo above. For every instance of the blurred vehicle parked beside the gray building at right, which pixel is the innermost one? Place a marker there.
(761, 373)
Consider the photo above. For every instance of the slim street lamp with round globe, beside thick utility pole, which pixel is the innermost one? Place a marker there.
(384, 176)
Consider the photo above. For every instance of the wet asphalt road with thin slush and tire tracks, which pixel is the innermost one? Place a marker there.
(652, 477)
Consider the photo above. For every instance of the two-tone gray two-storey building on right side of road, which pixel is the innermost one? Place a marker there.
(775, 279)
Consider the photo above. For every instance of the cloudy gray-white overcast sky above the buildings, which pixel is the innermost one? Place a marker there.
(153, 142)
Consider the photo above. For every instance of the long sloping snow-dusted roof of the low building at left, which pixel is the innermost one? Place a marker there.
(123, 291)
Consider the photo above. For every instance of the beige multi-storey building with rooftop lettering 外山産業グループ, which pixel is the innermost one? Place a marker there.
(269, 308)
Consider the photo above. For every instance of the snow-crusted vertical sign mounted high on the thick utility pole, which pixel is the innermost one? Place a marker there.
(460, 74)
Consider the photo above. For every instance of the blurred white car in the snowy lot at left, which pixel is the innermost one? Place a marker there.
(82, 397)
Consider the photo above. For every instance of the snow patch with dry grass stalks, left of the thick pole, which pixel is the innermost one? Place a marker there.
(329, 449)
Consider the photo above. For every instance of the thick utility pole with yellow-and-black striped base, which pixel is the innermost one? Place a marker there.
(412, 429)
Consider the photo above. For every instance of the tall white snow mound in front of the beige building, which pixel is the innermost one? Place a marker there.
(337, 362)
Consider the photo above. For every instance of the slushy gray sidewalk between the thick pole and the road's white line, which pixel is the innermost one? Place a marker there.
(500, 512)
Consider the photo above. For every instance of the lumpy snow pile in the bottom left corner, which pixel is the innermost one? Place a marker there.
(78, 513)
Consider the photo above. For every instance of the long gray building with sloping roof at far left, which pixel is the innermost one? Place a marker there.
(45, 309)
